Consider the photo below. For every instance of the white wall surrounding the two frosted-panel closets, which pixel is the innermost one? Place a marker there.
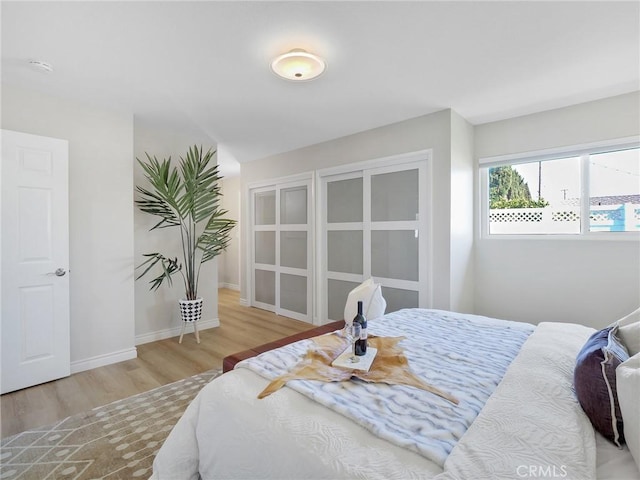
(426, 132)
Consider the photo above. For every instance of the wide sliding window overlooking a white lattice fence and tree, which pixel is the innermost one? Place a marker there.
(583, 191)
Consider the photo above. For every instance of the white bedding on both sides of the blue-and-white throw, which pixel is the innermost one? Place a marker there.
(228, 433)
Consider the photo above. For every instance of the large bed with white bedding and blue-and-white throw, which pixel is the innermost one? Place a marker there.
(516, 417)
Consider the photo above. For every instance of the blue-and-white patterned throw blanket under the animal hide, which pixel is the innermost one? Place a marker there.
(464, 355)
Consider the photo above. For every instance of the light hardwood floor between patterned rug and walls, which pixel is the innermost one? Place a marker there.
(158, 363)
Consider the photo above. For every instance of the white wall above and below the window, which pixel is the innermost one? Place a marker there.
(592, 282)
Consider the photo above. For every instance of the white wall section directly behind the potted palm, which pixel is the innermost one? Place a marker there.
(157, 314)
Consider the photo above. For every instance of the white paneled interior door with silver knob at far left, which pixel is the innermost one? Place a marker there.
(35, 260)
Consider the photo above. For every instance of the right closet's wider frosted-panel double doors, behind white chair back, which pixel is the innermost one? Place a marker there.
(375, 225)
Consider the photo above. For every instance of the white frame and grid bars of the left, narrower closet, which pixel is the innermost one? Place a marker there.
(278, 185)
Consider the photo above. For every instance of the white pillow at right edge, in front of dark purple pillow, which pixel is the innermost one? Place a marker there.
(628, 388)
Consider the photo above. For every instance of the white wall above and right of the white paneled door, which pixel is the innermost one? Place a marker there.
(100, 218)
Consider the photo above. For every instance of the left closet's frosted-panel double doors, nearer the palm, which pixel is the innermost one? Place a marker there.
(282, 253)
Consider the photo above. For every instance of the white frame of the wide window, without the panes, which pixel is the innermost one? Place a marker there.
(583, 151)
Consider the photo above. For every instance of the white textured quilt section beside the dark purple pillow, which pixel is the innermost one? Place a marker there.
(532, 426)
